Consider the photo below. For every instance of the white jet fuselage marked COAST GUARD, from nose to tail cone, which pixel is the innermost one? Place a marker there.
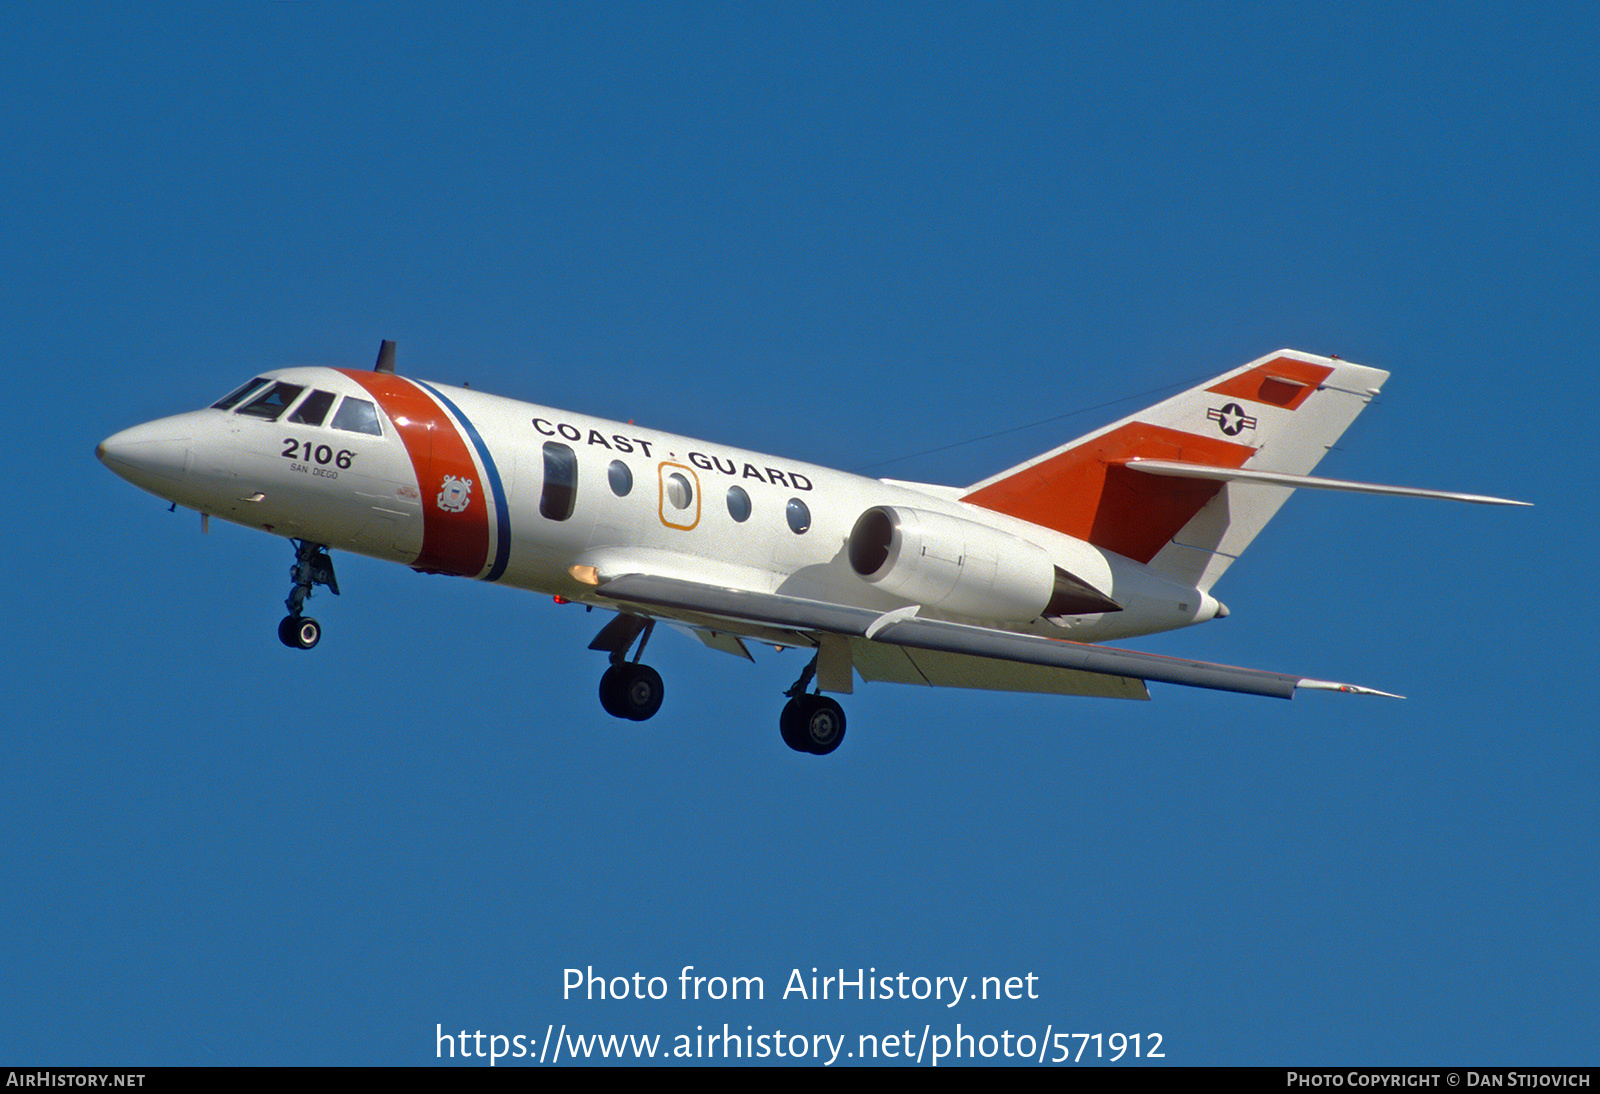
(530, 497)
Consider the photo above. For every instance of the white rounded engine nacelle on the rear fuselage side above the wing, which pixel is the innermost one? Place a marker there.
(953, 565)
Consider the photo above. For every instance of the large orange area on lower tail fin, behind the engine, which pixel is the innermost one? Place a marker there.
(1086, 495)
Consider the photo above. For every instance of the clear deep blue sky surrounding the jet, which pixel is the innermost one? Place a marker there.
(839, 236)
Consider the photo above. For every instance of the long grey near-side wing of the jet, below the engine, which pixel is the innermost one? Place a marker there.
(938, 637)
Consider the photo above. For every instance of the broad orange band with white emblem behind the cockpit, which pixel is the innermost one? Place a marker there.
(454, 543)
